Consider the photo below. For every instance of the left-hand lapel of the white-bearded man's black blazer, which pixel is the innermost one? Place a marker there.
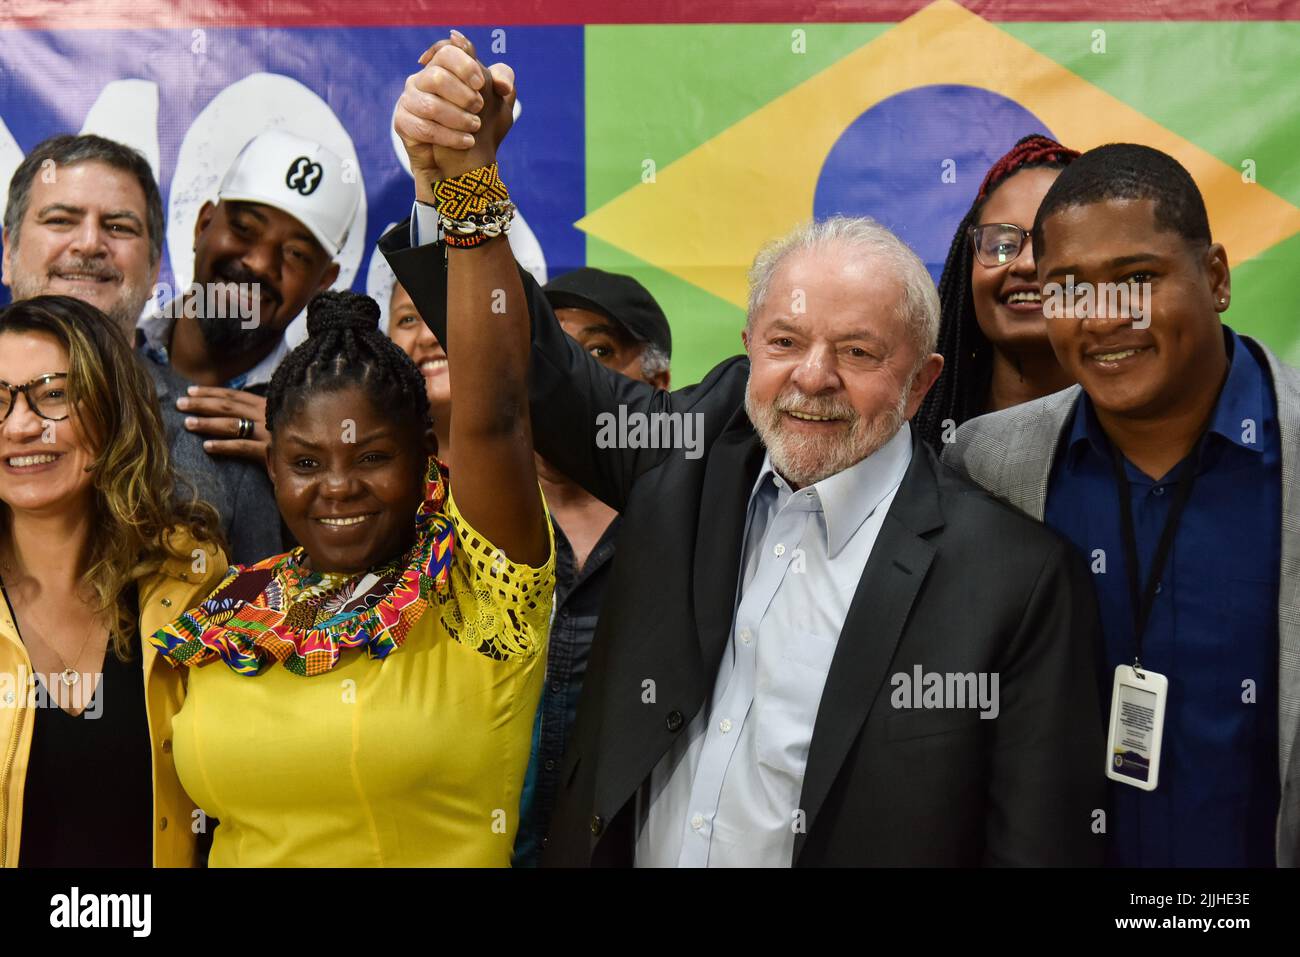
(730, 478)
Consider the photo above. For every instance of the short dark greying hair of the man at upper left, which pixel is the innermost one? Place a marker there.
(68, 151)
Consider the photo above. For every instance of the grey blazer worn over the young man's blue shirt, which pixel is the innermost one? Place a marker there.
(1011, 454)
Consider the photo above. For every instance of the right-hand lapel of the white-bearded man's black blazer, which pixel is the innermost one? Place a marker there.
(895, 573)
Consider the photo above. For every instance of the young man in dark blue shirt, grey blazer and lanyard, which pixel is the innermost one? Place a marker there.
(1175, 466)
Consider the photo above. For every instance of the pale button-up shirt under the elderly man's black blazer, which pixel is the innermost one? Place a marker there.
(727, 794)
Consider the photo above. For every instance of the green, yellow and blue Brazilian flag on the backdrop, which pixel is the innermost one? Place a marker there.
(707, 141)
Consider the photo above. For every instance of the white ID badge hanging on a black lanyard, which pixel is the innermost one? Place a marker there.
(1137, 728)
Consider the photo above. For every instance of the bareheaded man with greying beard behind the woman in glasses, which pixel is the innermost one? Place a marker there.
(85, 219)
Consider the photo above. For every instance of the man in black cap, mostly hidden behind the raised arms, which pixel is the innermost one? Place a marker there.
(621, 324)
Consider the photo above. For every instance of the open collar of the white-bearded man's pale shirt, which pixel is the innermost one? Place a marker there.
(850, 497)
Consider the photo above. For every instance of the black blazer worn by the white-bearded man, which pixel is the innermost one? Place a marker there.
(956, 583)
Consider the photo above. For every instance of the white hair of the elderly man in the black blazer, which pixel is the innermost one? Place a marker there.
(920, 305)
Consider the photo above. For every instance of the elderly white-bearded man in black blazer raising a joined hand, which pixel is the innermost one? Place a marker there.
(798, 622)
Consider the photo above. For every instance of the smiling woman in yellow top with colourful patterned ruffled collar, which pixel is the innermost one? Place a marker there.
(369, 699)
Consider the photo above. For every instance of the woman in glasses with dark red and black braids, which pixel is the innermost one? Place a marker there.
(993, 332)
